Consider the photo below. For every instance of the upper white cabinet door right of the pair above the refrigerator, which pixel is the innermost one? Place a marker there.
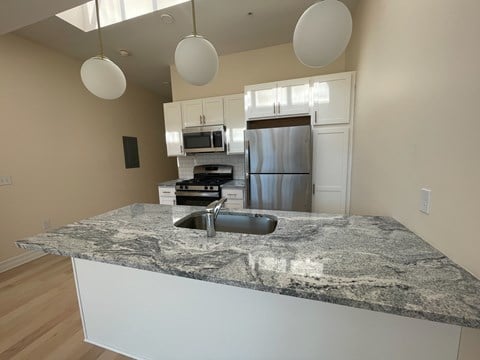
(332, 99)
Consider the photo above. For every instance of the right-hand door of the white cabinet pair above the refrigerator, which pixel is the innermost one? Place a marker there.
(293, 97)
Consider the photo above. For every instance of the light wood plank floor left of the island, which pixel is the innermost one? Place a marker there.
(39, 315)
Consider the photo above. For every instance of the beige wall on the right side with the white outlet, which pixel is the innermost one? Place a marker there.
(417, 122)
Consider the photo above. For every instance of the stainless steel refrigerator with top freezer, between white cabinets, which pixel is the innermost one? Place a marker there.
(278, 168)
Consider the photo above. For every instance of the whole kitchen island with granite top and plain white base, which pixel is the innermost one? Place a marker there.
(334, 269)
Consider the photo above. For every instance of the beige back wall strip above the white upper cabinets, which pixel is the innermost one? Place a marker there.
(250, 67)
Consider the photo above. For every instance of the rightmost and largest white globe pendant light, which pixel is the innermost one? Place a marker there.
(322, 33)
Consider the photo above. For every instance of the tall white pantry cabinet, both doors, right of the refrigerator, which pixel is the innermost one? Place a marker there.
(332, 133)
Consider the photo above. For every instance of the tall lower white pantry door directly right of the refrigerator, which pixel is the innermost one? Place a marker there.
(330, 169)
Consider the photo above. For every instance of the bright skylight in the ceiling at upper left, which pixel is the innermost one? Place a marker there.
(112, 12)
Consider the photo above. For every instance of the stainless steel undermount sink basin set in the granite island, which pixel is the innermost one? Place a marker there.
(245, 223)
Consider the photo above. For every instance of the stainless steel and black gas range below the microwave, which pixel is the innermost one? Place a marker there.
(205, 186)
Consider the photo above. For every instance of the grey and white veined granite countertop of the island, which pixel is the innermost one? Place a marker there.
(366, 262)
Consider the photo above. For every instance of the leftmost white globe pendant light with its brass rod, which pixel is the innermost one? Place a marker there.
(101, 76)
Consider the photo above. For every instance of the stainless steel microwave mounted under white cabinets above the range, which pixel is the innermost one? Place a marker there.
(204, 139)
